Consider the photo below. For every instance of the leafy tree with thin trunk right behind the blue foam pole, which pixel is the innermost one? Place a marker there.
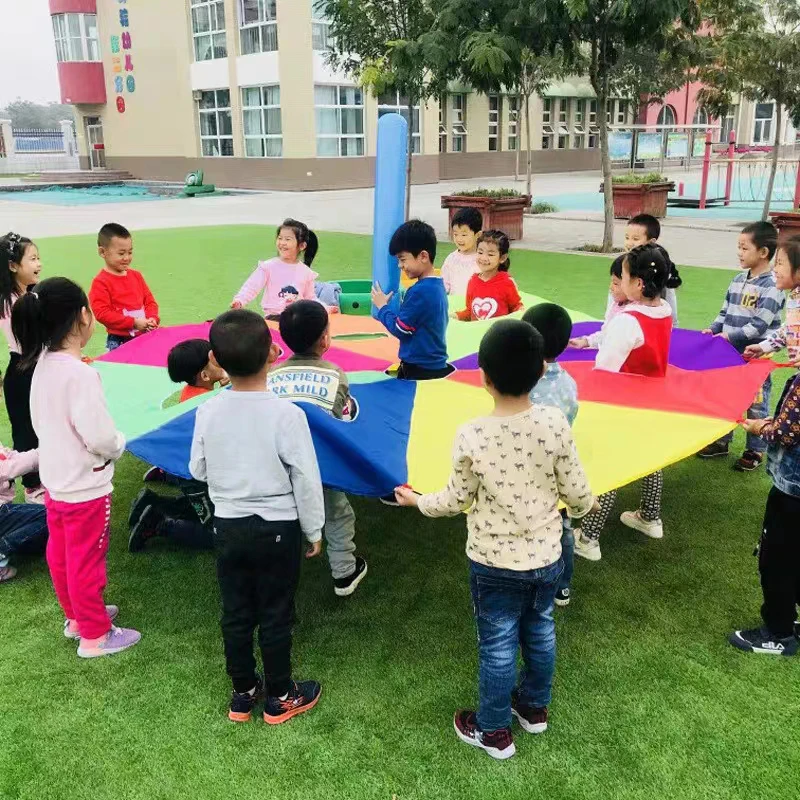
(384, 44)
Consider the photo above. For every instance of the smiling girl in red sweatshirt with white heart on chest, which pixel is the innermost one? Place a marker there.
(491, 292)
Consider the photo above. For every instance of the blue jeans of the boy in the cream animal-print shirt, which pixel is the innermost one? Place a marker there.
(513, 611)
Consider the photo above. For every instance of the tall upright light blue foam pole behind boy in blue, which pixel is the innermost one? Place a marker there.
(390, 194)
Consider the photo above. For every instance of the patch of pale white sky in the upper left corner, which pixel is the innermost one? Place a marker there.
(28, 54)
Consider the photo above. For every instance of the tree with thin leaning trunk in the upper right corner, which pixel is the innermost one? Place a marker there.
(755, 53)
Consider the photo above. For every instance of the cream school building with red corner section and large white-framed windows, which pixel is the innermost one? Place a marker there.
(241, 89)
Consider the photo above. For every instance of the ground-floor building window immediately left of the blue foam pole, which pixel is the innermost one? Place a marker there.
(339, 112)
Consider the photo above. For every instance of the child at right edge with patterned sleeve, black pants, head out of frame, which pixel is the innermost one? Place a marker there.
(779, 549)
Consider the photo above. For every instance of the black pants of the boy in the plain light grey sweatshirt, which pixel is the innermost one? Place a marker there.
(258, 567)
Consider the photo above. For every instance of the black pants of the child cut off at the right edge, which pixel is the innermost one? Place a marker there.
(779, 563)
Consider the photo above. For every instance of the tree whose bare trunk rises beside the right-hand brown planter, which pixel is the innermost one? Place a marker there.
(611, 29)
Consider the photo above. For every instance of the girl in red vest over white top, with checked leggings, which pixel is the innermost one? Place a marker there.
(636, 342)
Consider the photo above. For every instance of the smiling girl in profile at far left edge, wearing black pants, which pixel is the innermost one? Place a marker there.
(20, 267)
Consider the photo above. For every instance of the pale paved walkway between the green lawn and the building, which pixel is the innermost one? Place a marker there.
(709, 243)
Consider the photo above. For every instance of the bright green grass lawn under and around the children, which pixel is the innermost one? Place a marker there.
(650, 701)
